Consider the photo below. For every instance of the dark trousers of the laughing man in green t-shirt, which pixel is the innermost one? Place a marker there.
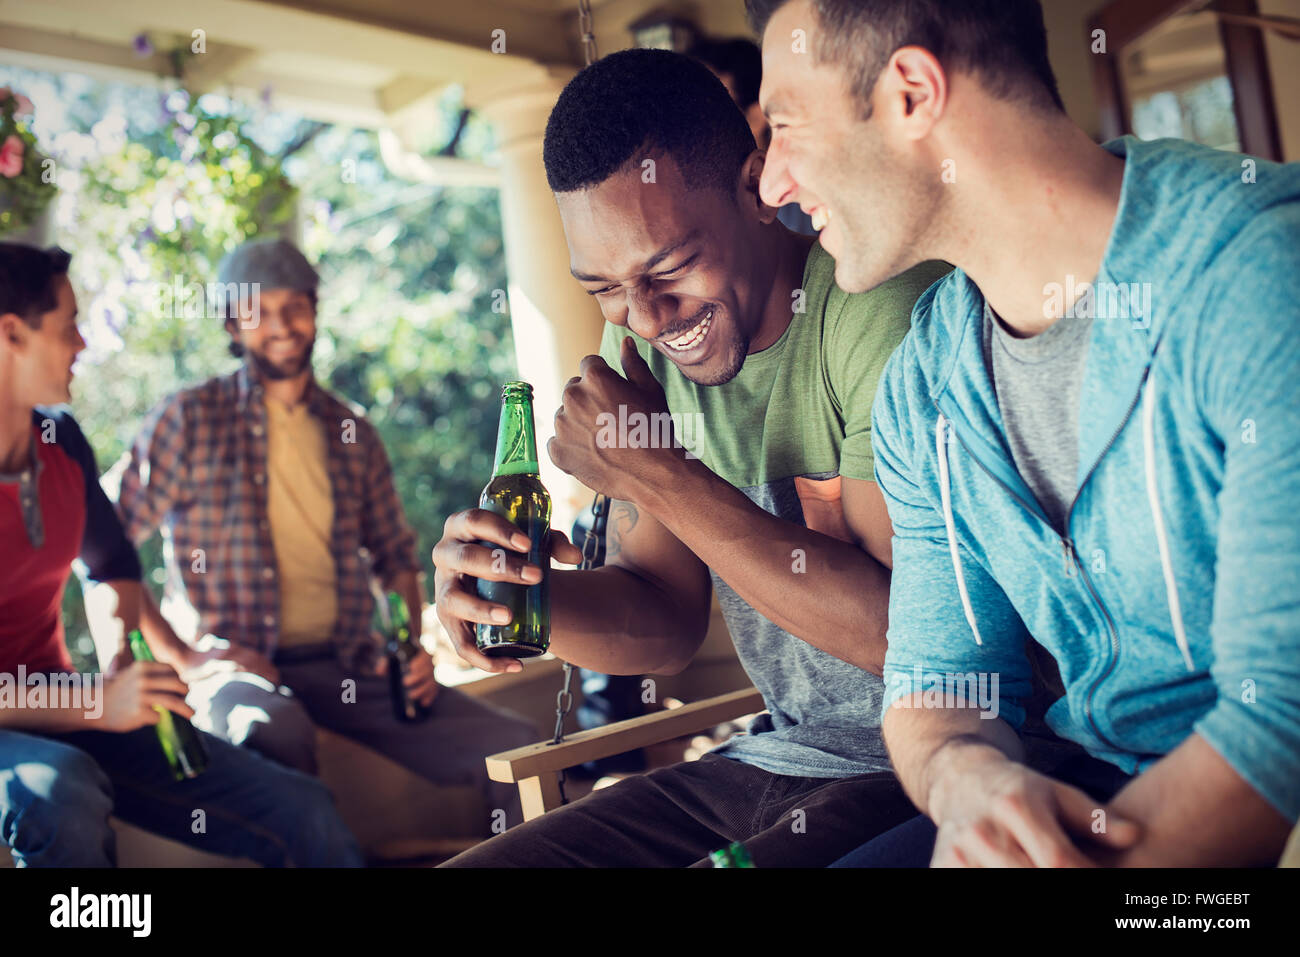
(675, 816)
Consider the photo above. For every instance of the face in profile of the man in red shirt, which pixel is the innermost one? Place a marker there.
(42, 358)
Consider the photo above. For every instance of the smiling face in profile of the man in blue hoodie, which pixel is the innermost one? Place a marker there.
(869, 184)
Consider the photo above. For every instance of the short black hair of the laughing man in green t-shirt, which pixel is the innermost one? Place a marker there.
(645, 101)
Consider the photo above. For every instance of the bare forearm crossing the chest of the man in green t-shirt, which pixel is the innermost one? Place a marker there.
(821, 590)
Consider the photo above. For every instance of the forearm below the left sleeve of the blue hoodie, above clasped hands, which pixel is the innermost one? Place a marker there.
(931, 747)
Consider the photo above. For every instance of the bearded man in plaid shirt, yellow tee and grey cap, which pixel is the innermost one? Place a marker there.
(276, 503)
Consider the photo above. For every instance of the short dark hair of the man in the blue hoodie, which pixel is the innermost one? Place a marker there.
(1004, 42)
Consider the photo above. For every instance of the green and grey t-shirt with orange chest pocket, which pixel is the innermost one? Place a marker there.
(795, 419)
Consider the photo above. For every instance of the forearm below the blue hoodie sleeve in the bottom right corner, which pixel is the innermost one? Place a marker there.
(1197, 812)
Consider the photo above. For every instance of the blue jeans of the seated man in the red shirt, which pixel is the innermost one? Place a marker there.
(57, 793)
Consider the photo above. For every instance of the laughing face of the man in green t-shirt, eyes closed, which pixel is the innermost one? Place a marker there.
(677, 267)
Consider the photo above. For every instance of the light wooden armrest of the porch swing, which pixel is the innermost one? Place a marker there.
(619, 738)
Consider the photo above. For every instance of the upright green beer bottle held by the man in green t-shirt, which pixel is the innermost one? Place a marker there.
(517, 493)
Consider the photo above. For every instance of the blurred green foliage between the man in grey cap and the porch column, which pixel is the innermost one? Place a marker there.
(409, 327)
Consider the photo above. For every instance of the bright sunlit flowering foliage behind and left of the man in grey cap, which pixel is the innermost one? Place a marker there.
(153, 218)
